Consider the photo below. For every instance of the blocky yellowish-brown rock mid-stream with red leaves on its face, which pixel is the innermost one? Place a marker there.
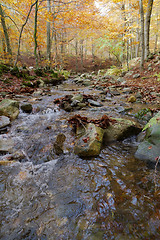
(90, 143)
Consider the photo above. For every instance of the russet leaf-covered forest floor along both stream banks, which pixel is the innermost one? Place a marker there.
(148, 82)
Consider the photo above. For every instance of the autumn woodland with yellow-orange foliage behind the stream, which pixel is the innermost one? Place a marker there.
(66, 33)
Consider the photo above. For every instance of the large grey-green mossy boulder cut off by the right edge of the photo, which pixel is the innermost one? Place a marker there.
(149, 148)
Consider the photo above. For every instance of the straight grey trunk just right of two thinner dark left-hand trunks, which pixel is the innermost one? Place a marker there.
(48, 33)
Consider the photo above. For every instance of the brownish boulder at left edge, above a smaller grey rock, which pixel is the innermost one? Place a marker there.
(9, 108)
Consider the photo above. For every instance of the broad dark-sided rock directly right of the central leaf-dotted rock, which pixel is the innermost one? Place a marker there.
(120, 130)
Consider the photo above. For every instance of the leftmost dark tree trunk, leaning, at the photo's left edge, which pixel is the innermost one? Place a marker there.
(9, 51)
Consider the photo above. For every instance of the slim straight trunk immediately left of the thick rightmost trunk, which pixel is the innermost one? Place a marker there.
(142, 34)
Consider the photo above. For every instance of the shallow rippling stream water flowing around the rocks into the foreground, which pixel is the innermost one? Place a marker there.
(45, 196)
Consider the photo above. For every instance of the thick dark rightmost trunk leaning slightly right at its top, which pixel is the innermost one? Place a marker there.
(147, 26)
